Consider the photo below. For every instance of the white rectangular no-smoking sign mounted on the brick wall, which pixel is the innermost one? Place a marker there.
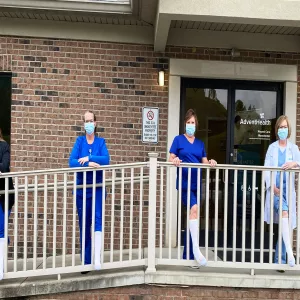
(150, 125)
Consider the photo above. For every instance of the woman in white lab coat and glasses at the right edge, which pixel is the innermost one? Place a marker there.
(285, 155)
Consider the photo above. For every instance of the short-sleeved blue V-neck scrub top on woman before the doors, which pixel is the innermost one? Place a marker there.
(188, 153)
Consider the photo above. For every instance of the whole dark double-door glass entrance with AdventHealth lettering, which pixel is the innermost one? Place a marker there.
(236, 123)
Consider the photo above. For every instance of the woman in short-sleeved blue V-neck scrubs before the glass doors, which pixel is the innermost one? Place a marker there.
(187, 149)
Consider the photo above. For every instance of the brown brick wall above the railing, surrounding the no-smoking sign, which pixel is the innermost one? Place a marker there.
(55, 81)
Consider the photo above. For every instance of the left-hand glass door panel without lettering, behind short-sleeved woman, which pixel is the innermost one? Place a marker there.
(209, 99)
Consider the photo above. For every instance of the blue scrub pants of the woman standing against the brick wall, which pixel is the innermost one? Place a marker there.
(88, 221)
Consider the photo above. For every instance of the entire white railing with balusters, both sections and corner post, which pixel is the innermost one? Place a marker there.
(143, 218)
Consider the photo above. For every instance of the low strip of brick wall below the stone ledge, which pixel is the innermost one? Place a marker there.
(175, 293)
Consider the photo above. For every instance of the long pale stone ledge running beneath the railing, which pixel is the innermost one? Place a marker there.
(164, 276)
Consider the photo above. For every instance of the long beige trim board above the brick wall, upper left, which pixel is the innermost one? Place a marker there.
(77, 31)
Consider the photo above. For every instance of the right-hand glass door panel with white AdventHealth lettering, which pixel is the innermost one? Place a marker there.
(255, 112)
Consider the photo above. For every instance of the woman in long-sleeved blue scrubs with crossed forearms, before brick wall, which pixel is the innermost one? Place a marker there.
(90, 151)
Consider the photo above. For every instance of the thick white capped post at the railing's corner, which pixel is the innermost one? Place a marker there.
(152, 211)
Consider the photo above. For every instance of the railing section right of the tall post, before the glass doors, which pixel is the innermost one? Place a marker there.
(232, 231)
